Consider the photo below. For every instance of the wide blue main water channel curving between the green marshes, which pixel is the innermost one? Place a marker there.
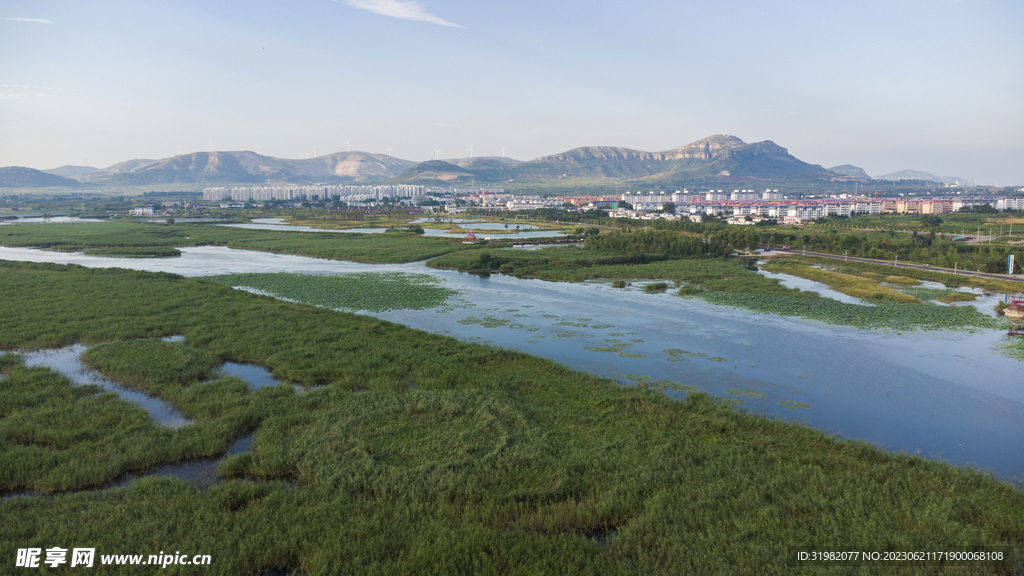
(942, 395)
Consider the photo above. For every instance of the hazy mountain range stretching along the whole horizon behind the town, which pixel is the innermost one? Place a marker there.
(711, 161)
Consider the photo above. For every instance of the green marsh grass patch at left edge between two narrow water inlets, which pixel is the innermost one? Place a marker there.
(57, 437)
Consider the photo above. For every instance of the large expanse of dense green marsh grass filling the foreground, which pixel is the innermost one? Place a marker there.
(421, 454)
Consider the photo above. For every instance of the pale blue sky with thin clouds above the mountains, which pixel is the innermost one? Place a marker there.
(933, 86)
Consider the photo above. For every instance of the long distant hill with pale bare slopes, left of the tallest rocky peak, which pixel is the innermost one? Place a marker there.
(249, 168)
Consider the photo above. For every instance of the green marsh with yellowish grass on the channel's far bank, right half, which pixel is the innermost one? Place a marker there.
(701, 271)
